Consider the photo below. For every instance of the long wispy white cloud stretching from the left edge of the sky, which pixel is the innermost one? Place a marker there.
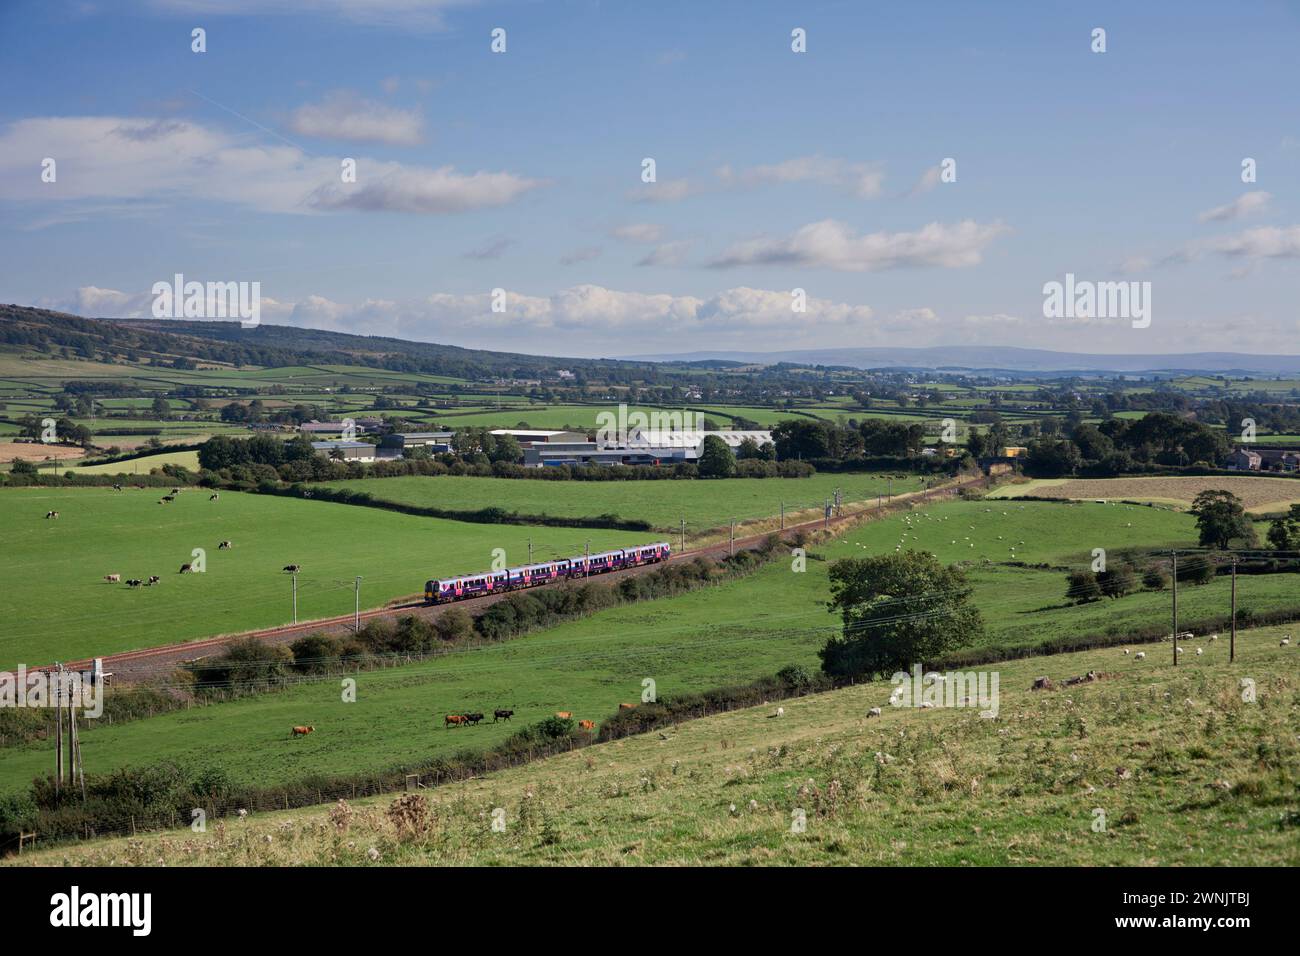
(161, 161)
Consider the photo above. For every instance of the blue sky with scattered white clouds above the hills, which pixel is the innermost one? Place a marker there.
(522, 171)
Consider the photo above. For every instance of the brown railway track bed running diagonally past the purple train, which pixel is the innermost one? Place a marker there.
(146, 664)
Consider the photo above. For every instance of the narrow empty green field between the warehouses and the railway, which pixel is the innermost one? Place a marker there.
(704, 504)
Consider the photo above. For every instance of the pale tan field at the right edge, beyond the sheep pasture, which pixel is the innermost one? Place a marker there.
(1258, 494)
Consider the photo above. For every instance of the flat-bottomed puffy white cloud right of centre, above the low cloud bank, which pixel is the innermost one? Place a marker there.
(833, 245)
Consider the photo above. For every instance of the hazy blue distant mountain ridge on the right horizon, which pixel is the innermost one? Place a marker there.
(1002, 358)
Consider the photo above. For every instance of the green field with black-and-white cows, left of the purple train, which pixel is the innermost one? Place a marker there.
(57, 605)
